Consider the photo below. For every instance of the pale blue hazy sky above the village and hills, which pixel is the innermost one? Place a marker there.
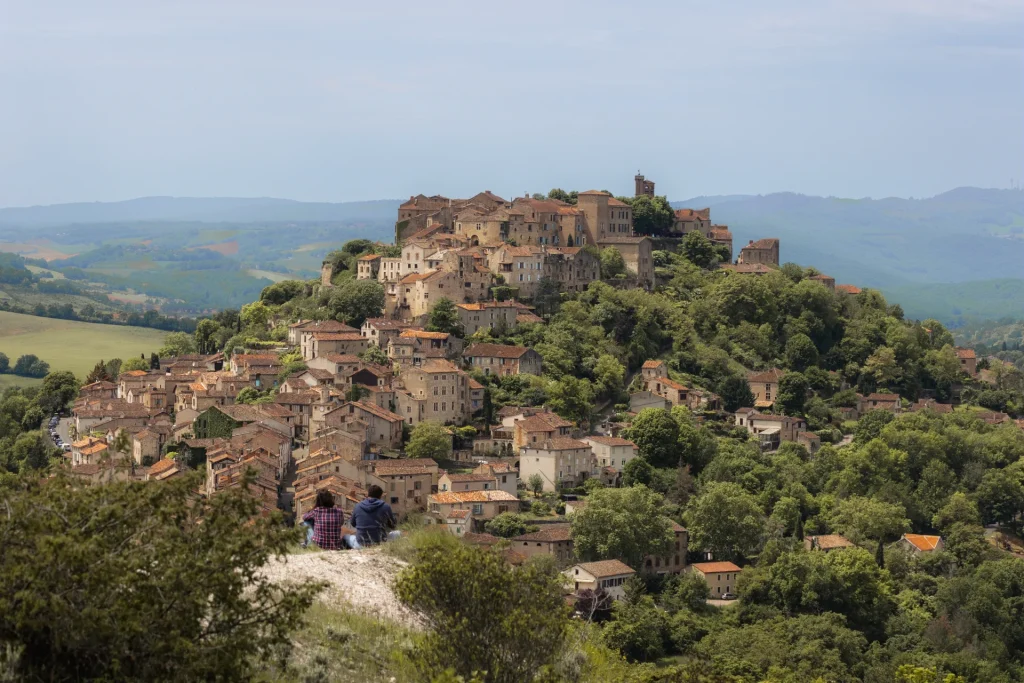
(337, 101)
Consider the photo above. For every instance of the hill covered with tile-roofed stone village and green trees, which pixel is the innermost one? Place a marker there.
(601, 387)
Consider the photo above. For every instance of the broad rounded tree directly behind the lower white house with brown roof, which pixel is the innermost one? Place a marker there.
(623, 524)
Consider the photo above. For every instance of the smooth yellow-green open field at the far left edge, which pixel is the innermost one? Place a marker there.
(72, 346)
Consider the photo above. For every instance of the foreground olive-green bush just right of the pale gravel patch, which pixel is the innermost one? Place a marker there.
(484, 614)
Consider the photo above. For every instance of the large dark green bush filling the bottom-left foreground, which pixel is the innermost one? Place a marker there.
(147, 563)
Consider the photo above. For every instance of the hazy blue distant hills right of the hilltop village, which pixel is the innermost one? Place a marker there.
(964, 235)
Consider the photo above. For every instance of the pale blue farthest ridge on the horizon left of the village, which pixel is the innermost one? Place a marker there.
(212, 210)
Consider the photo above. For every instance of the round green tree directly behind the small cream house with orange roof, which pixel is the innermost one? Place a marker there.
(726, 520)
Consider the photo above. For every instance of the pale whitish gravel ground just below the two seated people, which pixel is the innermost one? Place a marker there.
(363, 579)
